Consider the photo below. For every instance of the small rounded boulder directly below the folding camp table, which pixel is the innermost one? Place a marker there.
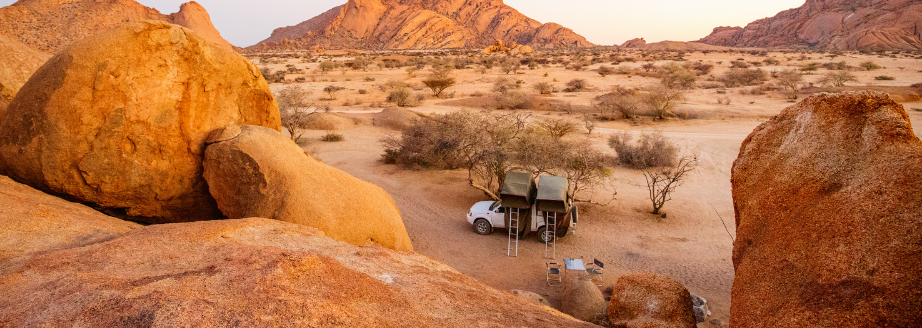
(582, 300)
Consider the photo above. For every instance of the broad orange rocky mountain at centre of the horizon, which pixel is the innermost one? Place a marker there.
(426, 24)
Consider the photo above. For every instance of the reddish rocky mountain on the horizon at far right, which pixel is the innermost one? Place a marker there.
(832, 24)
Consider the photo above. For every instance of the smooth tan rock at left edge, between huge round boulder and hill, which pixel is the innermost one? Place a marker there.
(17, 64)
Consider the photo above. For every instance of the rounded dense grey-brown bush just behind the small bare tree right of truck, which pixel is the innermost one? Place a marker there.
(651, 150)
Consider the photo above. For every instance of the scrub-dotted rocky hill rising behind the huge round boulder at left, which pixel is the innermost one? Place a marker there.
(51, 25)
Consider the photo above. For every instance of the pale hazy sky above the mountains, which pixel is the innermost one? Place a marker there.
(604, 22)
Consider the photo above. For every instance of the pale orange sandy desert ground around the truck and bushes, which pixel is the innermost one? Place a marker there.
(692, 244)
